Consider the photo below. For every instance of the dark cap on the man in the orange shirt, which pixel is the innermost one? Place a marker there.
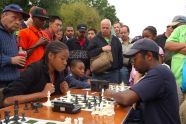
(39, 12)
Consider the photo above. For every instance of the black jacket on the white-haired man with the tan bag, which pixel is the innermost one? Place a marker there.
(95, 48)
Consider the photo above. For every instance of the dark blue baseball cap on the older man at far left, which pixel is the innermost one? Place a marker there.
(15, 8)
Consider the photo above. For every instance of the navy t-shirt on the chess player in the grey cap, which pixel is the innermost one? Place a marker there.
(158, 94)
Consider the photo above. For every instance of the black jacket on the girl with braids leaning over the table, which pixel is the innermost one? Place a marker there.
(33, 79)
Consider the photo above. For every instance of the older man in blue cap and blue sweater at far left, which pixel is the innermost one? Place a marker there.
(11, 19)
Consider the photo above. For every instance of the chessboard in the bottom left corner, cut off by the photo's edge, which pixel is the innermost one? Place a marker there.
(28, 120)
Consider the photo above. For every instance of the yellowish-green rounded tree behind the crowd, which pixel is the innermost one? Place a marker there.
(76, 13)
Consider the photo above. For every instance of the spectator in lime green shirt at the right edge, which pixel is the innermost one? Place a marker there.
(176, 43)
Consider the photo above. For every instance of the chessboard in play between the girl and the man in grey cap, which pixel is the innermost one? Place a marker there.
(86, 102)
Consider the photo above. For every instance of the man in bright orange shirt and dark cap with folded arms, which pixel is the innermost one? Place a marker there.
(32, 39)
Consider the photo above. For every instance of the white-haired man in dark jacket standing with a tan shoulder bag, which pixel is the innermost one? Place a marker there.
(104, 41)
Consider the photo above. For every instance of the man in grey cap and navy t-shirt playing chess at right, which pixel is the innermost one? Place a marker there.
(156, 91)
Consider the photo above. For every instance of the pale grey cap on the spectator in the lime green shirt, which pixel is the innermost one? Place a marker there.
(178, 19)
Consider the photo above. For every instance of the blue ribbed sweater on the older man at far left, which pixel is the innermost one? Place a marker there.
(8, 49)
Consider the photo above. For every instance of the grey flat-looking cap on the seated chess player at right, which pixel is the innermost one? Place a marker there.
(142, 44)
